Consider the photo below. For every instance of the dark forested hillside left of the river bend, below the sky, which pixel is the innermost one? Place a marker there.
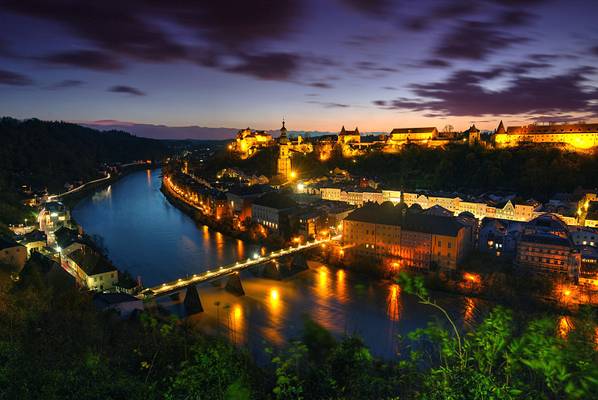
(42, 153)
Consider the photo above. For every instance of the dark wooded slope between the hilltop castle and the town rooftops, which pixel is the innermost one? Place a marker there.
(536, 171)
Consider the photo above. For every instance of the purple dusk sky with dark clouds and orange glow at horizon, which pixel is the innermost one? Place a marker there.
(319, 63)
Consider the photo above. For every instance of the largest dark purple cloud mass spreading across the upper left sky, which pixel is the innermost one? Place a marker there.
(120, 30)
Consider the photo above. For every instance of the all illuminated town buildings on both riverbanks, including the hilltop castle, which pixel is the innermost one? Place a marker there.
(420, 230)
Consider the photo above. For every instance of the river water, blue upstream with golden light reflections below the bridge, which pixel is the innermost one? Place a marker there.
(147, 236)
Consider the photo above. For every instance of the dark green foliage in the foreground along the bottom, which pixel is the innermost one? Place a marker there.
(54, 345)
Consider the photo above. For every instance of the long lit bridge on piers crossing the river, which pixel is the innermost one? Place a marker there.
(192, 302)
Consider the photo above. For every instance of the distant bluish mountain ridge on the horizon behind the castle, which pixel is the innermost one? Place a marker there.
(180, 132)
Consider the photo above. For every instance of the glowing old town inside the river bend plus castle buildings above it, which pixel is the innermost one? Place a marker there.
(419, 230)
